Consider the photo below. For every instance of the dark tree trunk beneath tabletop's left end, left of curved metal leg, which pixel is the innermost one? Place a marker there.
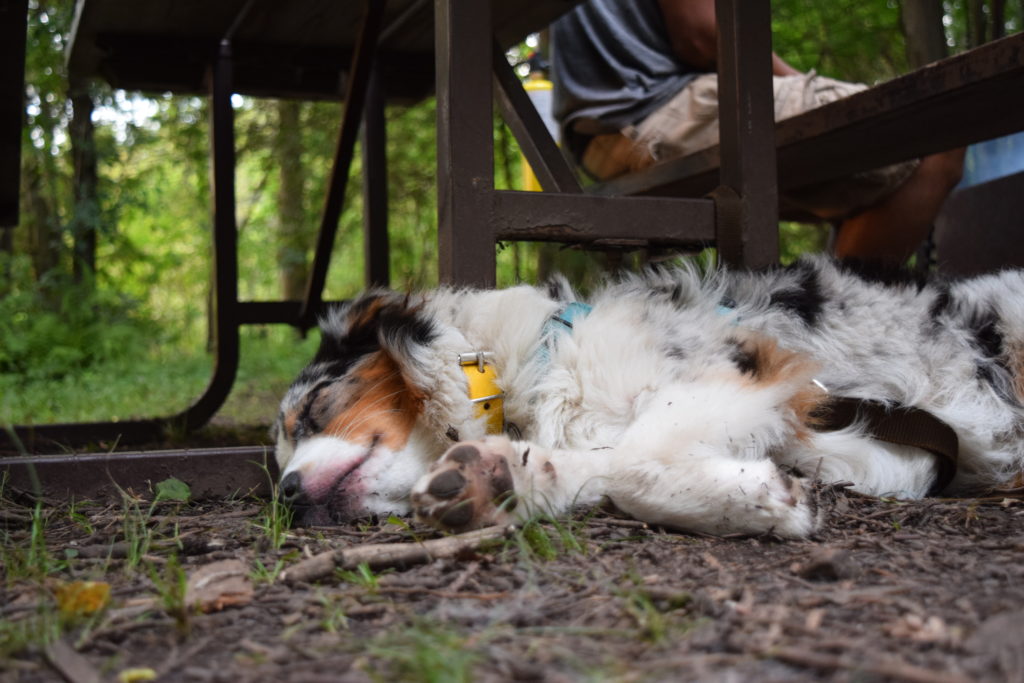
(86, 215)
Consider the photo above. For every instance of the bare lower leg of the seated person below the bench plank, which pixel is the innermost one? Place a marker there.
(890, 231)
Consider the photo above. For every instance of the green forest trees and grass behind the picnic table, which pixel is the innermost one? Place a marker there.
(105, 283)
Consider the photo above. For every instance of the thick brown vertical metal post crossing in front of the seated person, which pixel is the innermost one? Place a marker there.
(748, 133)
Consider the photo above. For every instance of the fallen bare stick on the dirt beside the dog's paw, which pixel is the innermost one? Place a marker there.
(391, 554)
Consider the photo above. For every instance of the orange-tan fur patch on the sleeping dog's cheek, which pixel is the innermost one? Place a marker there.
(383, 405)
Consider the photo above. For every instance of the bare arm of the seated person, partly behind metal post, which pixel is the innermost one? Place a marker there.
(694, 33)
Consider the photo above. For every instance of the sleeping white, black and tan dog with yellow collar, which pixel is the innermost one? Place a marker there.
(700, 403)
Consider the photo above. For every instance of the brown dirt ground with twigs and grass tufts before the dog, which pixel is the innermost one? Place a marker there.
(929, 591)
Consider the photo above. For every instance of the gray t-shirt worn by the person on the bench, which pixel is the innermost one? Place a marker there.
(613, 65)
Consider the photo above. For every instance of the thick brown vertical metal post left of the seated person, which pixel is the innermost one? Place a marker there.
(465, 142)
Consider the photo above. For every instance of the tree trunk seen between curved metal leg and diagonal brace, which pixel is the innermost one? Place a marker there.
(294, 237)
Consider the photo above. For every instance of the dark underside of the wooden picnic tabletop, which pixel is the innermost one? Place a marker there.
(300, 49)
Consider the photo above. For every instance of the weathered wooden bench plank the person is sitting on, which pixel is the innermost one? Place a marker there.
(970, 98)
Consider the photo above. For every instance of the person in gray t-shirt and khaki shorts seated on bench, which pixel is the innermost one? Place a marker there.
(635, 86)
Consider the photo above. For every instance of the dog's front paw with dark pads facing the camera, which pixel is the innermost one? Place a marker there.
(471, 487)
